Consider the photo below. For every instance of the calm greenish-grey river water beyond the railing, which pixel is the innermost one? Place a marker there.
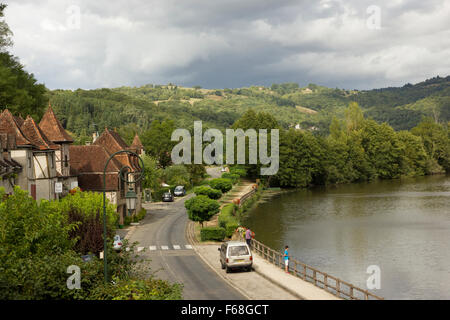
(401, 226)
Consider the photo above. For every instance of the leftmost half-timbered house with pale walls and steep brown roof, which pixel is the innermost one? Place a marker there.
(33, 152)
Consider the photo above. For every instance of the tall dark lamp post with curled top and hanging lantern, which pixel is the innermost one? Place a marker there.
(130, 198)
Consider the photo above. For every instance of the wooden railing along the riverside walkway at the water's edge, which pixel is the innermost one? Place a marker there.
(335, 286)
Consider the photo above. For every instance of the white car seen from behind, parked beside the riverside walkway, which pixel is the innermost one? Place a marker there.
(235, 255)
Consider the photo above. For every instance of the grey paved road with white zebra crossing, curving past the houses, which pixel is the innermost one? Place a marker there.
(162, 234)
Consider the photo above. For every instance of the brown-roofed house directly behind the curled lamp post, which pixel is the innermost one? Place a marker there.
(88, 163)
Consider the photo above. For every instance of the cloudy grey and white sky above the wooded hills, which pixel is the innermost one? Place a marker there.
(352, 44)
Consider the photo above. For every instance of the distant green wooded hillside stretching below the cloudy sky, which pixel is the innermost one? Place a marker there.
(311, 108)
